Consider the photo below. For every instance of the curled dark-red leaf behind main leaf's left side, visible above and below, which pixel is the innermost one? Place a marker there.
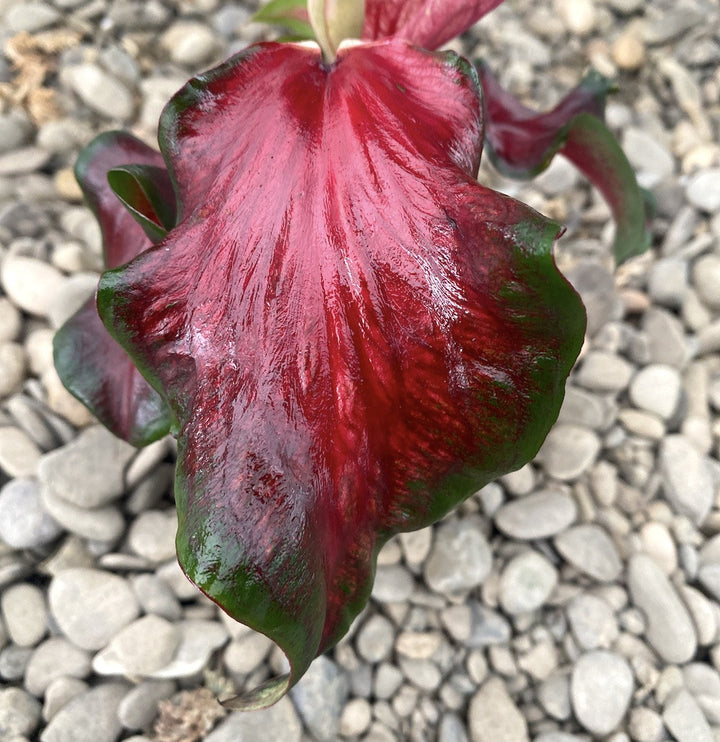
(90, 363)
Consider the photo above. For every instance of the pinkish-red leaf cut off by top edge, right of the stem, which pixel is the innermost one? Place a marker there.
(427, 23)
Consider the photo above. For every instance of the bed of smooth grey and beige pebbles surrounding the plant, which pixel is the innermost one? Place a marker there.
(576, 599)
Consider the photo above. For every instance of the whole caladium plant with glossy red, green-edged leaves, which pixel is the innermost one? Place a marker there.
(345, 331)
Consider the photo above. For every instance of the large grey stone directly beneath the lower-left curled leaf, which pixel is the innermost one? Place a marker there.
(89, 471)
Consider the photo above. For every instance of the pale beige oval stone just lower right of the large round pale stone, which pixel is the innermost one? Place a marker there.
(140, 648)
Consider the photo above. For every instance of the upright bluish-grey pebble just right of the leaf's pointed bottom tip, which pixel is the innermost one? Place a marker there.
(319, 698)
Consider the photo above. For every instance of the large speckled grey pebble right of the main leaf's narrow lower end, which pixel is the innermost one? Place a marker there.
(444, 571)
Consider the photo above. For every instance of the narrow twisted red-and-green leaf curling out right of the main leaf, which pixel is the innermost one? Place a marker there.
(522, 142)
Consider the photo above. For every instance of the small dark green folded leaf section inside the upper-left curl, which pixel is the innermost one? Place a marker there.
(147, 193)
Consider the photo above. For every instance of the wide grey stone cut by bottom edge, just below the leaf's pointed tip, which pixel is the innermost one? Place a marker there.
(277, 722)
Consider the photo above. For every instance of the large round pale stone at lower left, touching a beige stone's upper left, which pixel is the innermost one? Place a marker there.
(91, 606)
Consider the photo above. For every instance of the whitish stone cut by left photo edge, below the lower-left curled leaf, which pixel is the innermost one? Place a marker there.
(24, 524)
